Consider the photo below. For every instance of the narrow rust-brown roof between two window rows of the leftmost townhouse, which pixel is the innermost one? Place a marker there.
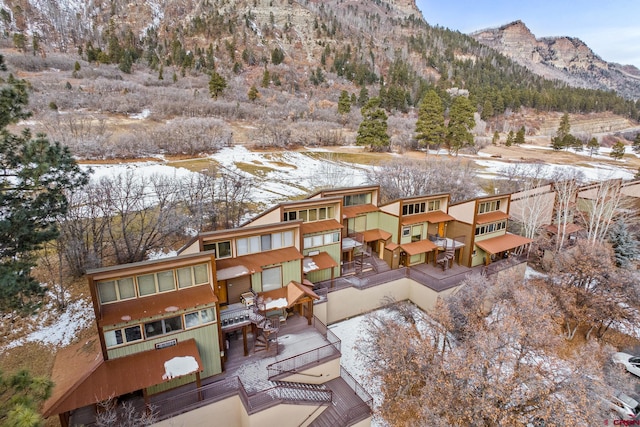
(153, 305)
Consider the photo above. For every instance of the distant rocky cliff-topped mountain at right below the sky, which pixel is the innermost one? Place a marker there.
(562, 58)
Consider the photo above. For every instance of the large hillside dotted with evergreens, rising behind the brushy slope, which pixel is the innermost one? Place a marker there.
(310, 49)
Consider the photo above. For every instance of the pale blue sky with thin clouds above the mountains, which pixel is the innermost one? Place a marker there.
(609, 28)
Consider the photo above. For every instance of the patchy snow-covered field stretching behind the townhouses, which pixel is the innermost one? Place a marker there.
(282, 175)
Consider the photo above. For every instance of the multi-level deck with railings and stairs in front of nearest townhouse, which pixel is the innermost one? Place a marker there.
(259, 379)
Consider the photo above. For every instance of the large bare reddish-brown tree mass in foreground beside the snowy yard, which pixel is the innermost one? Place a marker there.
(502, 368)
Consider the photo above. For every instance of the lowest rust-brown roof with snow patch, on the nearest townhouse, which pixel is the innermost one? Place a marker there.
(93, 379)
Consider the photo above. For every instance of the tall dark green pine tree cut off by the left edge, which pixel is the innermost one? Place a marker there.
(36, 174)
